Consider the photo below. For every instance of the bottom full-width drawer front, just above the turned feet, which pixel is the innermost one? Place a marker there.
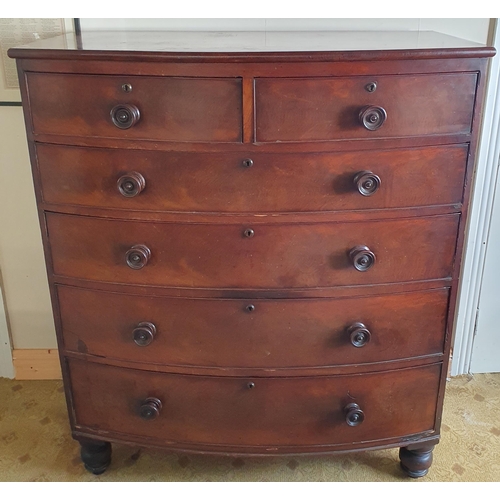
(297, 411)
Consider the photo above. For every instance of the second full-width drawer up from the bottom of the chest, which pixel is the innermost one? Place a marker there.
(280, 333)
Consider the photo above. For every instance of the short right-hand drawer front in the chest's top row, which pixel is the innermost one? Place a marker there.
(321, 109)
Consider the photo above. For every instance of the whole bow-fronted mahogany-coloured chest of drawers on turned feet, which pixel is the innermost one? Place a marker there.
(256, 251)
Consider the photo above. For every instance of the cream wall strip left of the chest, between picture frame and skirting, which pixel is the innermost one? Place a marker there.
(22, 264)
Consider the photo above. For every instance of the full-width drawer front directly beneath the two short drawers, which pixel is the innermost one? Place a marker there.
(275, 182)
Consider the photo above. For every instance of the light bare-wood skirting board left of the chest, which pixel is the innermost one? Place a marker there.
(36, 364)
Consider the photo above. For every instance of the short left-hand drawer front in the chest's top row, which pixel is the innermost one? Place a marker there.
(170, 109)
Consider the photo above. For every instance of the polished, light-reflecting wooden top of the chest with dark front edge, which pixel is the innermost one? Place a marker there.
(253, 45)
